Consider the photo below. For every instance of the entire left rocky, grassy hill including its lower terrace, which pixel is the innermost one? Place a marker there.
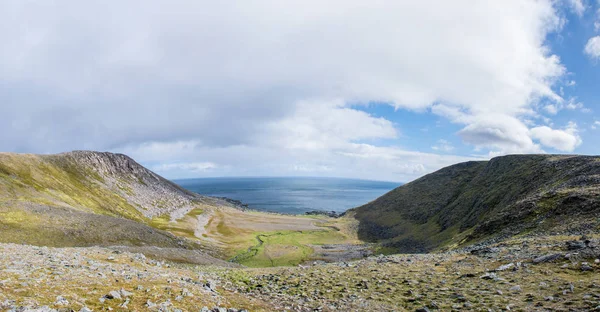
(90, 199)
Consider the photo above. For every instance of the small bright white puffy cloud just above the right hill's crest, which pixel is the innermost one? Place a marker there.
(563, 140)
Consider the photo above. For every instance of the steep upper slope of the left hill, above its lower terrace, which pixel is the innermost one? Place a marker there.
(105, 183)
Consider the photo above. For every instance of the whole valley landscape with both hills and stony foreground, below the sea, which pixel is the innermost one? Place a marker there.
(89, 231)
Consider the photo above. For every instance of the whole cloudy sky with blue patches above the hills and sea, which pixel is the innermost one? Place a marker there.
(381, 90)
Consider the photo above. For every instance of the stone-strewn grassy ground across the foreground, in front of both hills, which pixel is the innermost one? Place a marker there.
(558, 273)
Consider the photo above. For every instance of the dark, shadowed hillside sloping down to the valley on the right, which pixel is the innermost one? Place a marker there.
(473, 201)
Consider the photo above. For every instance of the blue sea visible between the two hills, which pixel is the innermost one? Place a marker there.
(292, 195)
